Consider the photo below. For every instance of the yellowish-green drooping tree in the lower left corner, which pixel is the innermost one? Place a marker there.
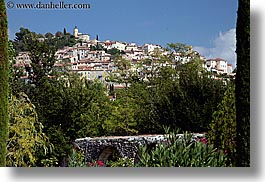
(26, 137)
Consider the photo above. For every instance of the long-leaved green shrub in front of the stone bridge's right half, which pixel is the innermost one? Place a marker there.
(182, 152)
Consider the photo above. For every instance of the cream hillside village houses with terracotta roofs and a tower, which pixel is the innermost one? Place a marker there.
(98, 64)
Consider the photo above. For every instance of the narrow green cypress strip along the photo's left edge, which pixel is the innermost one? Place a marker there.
(3, 84)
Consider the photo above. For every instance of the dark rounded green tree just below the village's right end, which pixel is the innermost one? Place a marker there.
(197, 98)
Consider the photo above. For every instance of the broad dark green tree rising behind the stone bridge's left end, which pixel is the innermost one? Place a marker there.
(70, 108)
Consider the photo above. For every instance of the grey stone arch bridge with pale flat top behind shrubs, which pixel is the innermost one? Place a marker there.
(101, 148)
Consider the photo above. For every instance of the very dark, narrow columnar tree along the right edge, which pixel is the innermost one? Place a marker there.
(243, 83)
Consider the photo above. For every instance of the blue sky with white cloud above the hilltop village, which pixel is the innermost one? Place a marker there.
(207, 25)
